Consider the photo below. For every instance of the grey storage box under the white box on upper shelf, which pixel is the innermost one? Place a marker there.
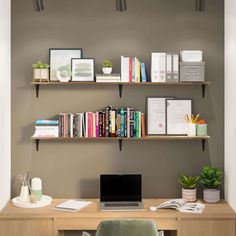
(192, 71)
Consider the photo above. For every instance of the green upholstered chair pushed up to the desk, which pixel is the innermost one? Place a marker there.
(127, 228)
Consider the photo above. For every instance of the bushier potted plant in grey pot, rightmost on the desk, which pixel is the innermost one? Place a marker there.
(211, 179)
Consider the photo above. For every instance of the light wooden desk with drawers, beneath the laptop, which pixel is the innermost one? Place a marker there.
(216, 220)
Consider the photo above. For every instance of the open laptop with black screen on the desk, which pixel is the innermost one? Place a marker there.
(121, 192)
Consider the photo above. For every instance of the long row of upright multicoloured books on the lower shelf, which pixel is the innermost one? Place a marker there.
(110, 122)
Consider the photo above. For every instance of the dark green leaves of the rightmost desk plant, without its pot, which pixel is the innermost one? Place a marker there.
(211, 178)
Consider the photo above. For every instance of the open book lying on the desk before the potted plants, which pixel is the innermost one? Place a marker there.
(182, 206)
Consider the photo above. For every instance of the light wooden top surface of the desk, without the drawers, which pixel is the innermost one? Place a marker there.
(220, 210)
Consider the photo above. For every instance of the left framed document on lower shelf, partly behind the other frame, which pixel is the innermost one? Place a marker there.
(156, 115)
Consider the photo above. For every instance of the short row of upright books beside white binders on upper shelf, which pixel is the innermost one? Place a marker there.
(132, 70)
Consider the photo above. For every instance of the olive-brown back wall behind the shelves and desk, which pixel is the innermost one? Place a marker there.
(72, 169)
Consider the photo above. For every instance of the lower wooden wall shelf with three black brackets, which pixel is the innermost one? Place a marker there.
(120, 139)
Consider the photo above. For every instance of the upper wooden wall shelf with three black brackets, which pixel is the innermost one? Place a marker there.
(120, 85)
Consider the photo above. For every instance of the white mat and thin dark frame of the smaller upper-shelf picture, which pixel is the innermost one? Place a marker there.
(75, 62)
